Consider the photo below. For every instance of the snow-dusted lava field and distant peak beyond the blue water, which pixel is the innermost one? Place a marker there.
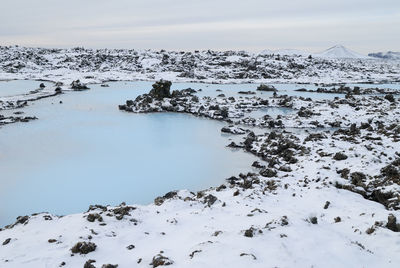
(89, 65)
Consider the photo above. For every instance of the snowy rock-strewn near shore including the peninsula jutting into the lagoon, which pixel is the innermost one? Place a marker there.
(326, 186)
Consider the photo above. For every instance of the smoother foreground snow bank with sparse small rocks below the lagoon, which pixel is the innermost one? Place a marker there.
(192, 233)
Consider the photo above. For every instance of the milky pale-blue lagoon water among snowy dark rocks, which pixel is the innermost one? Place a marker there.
(85, 151)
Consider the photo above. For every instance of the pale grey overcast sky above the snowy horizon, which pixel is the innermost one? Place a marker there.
(312, 25)
